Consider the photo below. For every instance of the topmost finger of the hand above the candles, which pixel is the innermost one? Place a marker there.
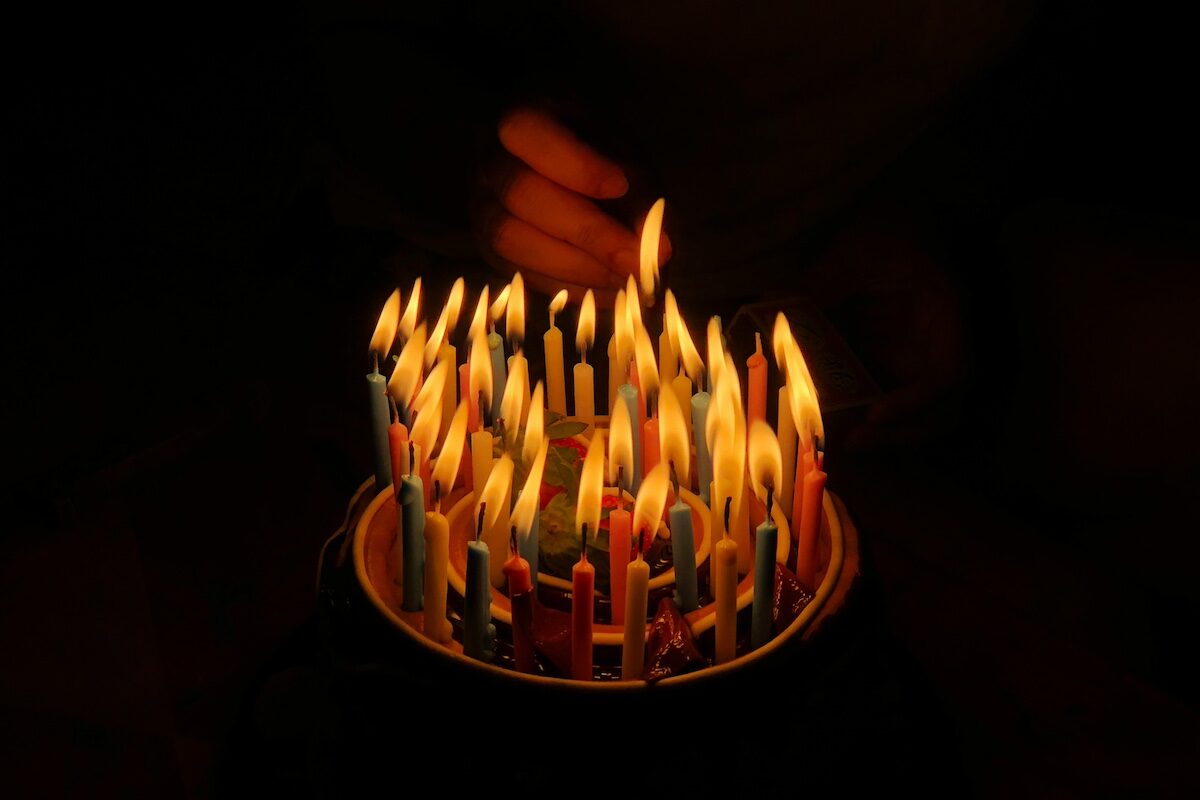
(542, 142)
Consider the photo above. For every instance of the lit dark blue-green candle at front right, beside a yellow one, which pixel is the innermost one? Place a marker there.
(766, 473)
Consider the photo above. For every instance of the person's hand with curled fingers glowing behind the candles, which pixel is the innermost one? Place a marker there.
(538, 213)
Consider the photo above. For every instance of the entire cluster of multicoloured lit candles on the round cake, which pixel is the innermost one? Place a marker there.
(677, 424)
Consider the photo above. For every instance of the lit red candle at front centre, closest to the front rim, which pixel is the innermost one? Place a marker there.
(587, 519)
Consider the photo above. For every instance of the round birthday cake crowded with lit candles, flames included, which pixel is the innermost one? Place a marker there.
(679, 537)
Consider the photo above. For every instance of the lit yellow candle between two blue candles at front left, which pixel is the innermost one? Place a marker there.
(437, 531)
